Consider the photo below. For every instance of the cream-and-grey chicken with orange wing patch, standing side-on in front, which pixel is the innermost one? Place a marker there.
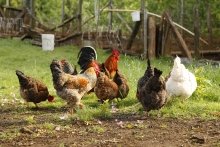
(72, 87)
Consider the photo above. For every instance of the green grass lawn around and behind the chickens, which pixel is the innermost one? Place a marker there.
(35, 62)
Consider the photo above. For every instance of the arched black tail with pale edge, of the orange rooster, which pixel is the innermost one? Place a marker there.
(85, 55)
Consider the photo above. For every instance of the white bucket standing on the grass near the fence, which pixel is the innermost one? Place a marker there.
(47, 42)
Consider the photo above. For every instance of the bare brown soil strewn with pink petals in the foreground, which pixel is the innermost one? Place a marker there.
(32, 127)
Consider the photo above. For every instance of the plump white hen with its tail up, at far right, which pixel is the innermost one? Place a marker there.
(181, 83)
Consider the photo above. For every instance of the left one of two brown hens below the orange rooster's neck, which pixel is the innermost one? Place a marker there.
(105, 89)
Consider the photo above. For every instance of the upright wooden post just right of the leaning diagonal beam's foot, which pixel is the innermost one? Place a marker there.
(196, 31)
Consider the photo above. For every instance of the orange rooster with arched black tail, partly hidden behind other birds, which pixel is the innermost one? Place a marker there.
(87, 56)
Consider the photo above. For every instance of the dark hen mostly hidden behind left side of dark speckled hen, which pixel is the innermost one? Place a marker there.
(149, 72)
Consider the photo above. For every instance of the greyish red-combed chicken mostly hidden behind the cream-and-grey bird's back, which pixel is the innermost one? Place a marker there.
(67, 68)
